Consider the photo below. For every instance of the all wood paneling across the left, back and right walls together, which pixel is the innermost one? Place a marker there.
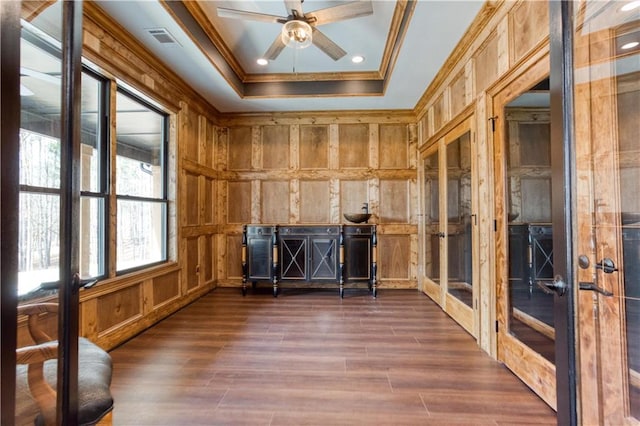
(300, 168)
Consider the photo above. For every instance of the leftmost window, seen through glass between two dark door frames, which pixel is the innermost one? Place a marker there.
(39, 209)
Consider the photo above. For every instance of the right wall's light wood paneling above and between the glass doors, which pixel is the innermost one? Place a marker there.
(503, 36)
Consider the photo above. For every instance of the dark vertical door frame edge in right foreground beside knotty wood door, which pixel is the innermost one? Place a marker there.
(564, 218)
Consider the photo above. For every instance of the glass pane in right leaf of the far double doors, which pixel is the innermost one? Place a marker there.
(459, 265)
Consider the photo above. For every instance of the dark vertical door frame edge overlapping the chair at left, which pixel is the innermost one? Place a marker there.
(69, 297)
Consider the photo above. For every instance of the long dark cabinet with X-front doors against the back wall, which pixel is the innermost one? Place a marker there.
(333, 254)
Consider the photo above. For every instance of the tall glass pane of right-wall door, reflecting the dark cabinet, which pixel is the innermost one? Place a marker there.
(529, 219)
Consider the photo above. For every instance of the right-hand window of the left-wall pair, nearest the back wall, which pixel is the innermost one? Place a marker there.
(140, 183)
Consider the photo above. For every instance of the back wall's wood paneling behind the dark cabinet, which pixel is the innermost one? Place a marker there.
(311, 168)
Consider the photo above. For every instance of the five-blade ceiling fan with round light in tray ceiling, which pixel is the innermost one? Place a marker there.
(299, 28)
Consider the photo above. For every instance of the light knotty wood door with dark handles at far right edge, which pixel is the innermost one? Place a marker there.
(607, 110)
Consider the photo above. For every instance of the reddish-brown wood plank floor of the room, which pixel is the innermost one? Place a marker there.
(310, 358)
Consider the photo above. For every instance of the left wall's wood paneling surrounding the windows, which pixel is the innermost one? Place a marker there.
(121, 306)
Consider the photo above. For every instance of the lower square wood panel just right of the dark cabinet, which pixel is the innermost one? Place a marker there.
(394, 256)
